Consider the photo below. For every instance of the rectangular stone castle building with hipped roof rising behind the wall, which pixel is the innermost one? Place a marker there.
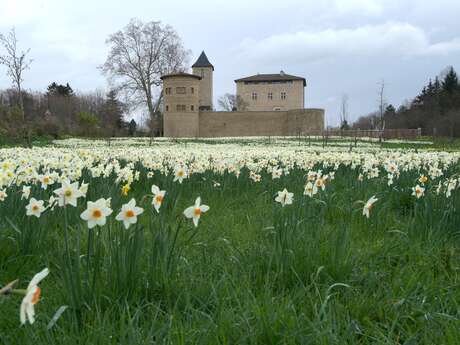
(266, 92)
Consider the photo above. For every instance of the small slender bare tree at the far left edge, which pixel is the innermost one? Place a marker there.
(16, 63)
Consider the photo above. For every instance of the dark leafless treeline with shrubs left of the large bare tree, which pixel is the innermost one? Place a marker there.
(59, 112)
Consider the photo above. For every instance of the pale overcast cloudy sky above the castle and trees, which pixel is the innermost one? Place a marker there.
(339, 46)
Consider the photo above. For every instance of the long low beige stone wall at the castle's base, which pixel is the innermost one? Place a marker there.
(210, 124)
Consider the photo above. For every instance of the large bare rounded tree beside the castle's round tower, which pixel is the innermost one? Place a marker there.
(139, 55)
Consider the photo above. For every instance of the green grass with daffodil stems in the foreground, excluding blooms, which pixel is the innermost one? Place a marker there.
(315, 272)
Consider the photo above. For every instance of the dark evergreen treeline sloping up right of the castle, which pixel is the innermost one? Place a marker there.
(436, 109)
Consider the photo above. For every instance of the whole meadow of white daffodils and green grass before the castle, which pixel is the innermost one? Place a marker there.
(248, 241)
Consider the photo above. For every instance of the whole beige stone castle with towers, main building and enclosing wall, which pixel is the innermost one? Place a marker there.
(188, 106)
